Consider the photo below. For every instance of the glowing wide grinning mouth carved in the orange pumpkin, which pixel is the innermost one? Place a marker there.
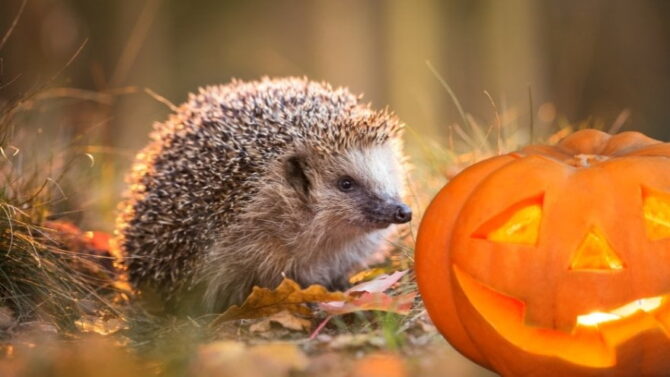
(592, 342)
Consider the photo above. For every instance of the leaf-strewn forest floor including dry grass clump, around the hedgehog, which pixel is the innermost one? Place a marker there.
(65, 311)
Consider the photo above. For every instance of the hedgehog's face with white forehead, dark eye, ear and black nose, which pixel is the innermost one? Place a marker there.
(359, 189)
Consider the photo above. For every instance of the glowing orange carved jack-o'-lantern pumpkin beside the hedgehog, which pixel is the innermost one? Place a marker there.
(555, 261)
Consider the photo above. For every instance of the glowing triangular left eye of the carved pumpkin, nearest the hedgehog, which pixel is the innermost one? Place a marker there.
(520, 223)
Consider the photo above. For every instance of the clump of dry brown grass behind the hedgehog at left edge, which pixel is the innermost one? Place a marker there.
(46, 271)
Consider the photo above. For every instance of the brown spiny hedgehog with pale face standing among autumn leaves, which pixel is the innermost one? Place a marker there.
(251, 182)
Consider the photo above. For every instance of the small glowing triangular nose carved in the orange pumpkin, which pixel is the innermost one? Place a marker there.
(595, 253)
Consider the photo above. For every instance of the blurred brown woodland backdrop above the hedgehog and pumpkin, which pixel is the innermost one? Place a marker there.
(607, 61)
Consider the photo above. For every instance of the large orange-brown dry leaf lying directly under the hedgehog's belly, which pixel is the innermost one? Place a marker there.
(263, 302)
